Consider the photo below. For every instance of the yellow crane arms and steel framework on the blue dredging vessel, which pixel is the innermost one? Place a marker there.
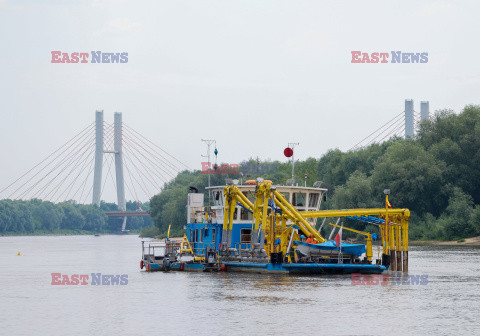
(270, 226)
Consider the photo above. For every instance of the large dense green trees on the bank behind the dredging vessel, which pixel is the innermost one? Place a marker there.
(436, 175)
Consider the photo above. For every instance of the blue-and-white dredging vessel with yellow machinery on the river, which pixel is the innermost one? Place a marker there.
(260, 227)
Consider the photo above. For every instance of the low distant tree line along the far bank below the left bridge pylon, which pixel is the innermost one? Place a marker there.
(37, 216)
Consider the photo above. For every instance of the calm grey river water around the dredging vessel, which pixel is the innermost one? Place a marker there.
(180, 303)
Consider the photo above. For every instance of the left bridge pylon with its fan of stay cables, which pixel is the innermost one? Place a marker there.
(101, 152)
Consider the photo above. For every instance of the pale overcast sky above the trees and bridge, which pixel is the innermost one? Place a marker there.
(253, 75)
